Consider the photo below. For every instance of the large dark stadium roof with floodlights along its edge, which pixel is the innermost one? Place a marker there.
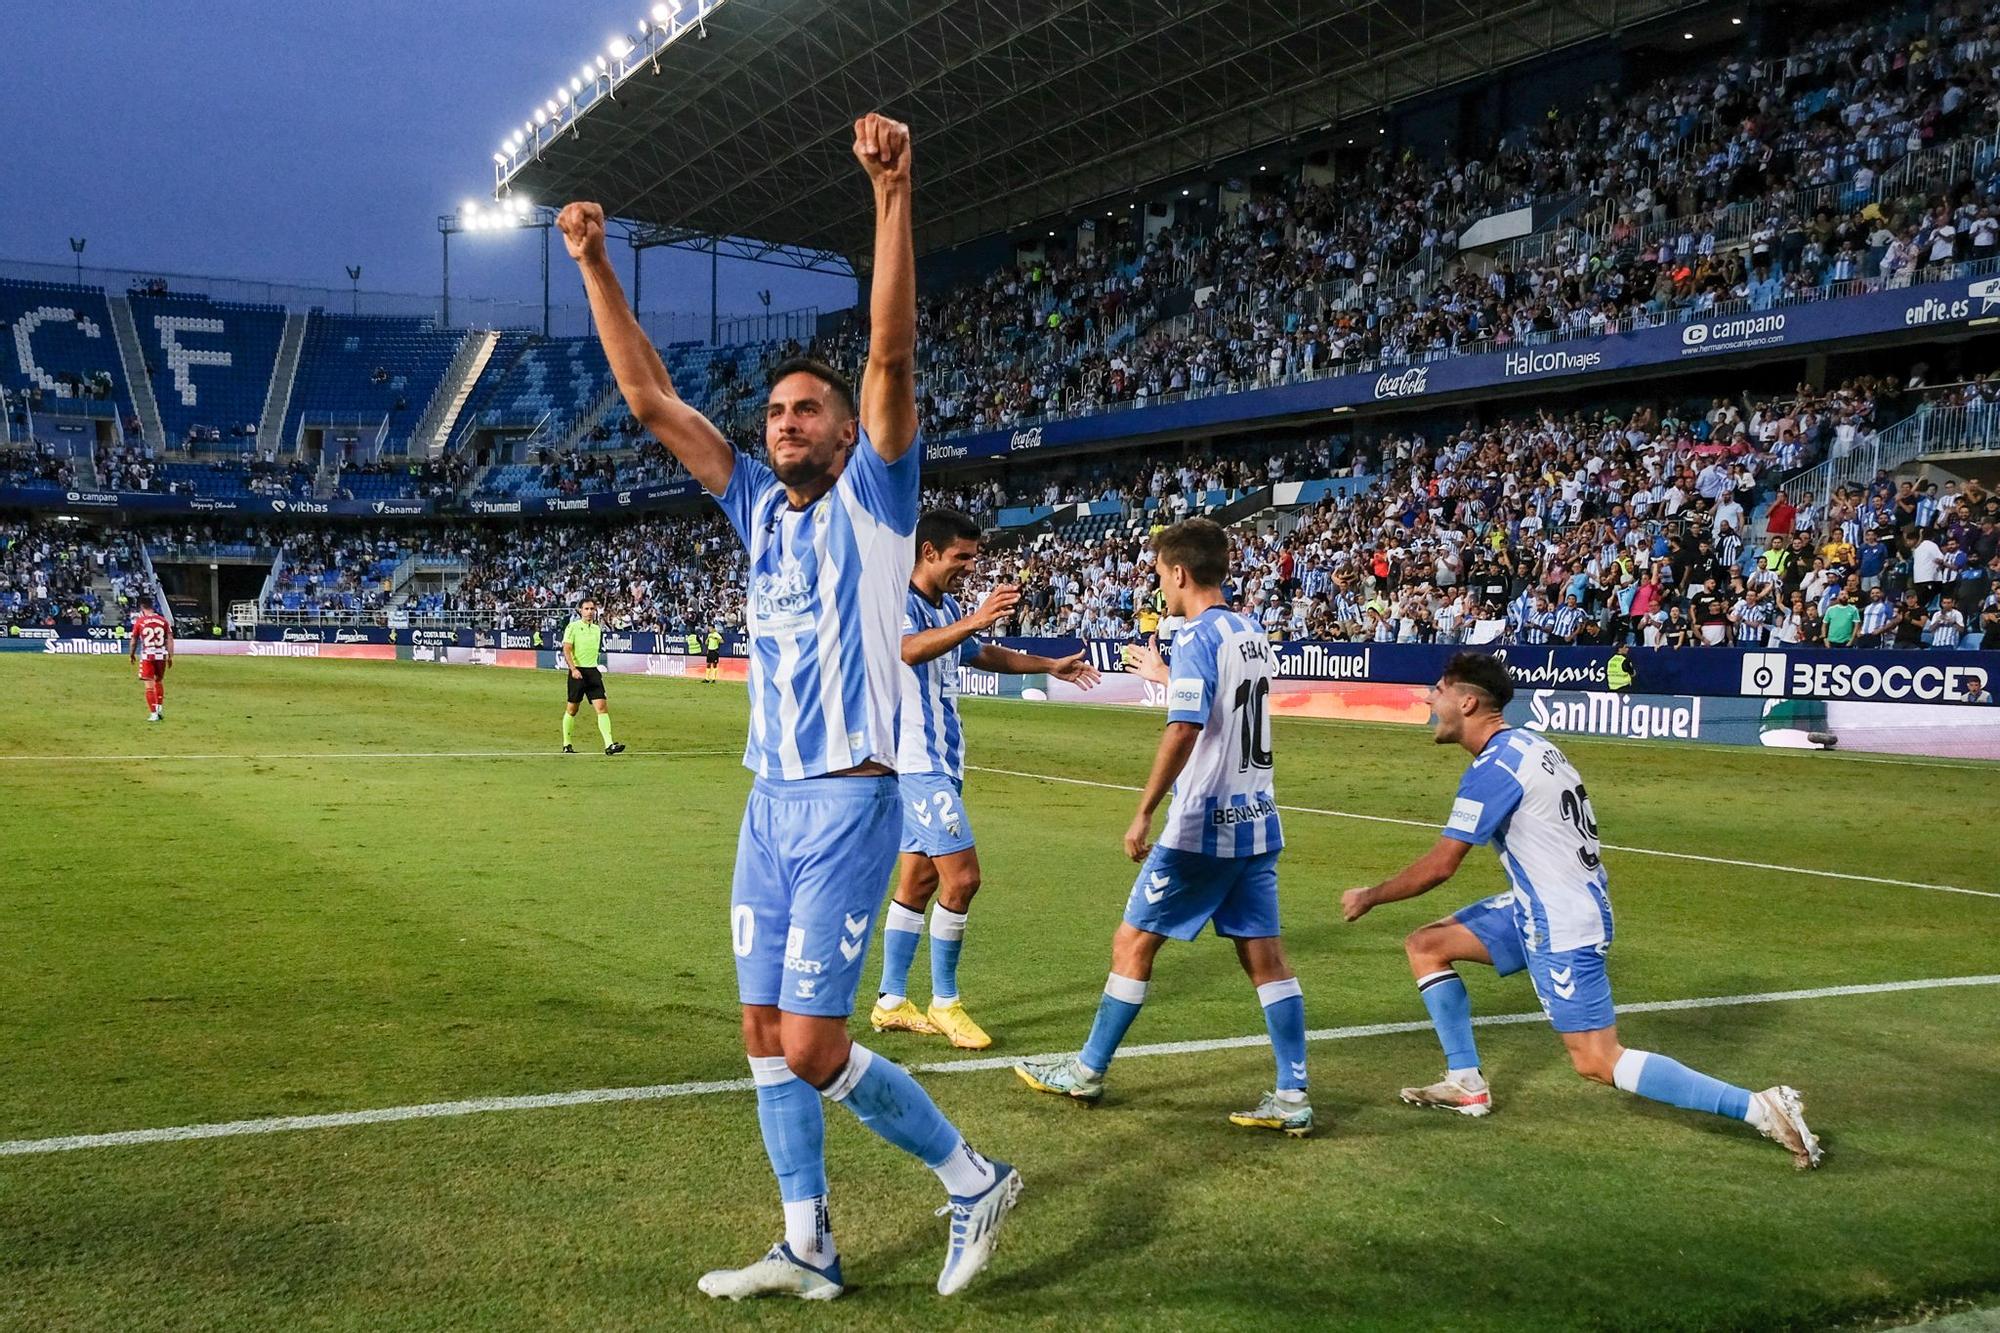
(735, 117)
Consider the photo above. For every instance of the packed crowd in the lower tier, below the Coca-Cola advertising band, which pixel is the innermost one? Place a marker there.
(1653, 525)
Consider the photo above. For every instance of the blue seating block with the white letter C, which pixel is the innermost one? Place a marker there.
(61, 341)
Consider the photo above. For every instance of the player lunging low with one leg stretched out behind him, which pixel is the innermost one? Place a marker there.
(1557, 920)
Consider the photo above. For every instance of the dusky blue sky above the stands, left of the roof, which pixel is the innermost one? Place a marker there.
(287, 141)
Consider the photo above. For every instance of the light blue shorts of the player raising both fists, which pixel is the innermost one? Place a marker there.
(813, 864)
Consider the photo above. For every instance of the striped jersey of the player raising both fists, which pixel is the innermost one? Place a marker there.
(823, 611)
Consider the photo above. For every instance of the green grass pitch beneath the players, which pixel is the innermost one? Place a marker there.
(377, 886)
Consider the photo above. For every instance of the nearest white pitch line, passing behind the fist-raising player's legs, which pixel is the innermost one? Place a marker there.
(663, 1092)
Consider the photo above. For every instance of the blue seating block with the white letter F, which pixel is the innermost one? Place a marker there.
(211, 365)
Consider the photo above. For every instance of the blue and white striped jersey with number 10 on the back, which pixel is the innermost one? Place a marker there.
(1219, 680)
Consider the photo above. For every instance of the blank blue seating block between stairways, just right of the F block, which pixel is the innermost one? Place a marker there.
(361, 369)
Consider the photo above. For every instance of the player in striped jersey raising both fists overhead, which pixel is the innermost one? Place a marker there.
(829, 525)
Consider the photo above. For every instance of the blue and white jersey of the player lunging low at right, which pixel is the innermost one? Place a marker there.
(1525, 798)
